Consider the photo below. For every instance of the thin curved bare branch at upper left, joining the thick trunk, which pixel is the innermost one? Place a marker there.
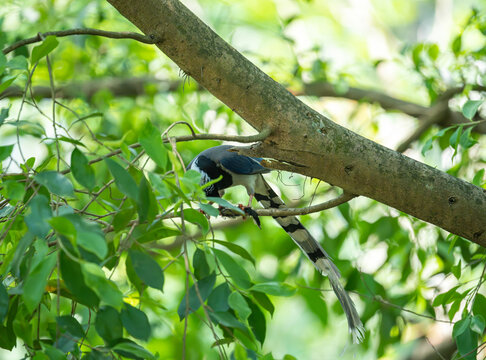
(146, 39)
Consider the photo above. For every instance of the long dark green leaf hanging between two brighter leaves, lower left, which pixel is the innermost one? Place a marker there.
(74, 281)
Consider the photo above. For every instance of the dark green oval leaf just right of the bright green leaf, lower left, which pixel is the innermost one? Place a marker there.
(147, 269)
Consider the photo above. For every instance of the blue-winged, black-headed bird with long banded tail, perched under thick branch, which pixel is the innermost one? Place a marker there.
(234, 169)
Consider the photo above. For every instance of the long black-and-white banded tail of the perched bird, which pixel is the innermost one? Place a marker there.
(314, 251)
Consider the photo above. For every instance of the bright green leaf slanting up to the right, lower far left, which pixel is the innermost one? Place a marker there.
(35, 283)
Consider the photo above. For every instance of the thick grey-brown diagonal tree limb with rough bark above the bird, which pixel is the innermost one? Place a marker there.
(313, 145)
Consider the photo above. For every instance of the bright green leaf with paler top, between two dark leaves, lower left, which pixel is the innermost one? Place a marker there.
(106, 290)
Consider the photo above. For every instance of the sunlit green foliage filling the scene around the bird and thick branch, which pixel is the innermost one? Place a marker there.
(418, 289)
